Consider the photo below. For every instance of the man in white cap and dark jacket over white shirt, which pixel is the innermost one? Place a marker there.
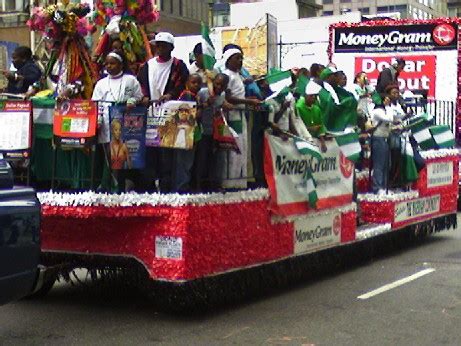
(163, 78)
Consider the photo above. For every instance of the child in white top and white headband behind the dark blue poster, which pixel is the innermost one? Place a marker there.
(118, 87)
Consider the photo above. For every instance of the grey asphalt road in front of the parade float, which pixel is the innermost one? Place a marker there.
(325, 311)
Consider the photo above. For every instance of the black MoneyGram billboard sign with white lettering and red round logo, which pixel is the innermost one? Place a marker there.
(396, 39)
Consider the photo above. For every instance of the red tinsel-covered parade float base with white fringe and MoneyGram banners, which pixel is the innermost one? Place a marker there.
(207, 248)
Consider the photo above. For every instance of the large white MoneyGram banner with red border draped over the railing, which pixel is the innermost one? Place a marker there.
(286, 168)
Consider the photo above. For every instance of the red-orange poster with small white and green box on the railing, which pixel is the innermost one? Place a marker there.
(75, 122)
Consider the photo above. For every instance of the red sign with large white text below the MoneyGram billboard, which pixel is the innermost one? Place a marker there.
(419, 72)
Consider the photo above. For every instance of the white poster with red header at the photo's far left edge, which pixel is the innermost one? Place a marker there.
(15, 129)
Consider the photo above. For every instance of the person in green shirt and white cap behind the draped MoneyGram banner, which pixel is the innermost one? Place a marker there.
(311, 114)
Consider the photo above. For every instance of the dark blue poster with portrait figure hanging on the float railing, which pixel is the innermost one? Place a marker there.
(127, 137)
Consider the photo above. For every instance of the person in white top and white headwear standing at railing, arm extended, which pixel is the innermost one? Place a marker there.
(236, 163)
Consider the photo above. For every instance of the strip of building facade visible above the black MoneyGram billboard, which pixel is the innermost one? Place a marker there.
(414, 9)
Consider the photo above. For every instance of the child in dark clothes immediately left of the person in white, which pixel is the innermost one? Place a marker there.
(206, 170)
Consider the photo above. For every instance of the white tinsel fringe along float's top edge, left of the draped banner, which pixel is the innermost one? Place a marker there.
(90, 198)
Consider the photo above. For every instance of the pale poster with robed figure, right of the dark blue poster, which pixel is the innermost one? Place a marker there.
(171, 125)
